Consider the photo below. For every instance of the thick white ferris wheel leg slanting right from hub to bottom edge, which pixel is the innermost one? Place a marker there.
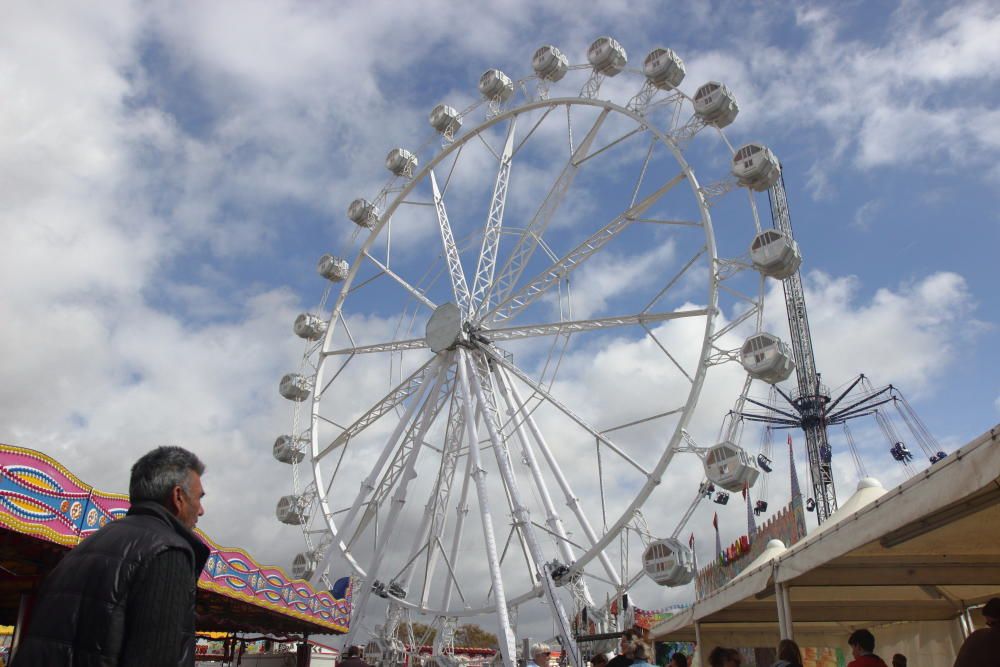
(522, 519)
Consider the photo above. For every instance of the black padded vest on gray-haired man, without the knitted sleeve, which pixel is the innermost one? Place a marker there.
(78, 619)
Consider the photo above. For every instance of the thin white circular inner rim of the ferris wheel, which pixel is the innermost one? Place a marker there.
(653, 479)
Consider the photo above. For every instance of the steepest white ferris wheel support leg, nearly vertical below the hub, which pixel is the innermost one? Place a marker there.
(506, 638)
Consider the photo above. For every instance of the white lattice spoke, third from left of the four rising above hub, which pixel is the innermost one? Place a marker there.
(525, 248)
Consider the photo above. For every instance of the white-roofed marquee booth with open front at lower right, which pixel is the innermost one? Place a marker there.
(911, 564)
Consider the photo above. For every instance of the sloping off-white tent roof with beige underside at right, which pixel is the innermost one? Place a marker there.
(923, 551)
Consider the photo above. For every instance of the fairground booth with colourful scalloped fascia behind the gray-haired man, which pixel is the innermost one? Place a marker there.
(45, 510)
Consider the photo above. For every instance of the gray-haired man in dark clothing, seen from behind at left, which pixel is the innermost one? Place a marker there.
(125, 596)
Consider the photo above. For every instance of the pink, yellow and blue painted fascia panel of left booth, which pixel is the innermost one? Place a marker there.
(41, 498)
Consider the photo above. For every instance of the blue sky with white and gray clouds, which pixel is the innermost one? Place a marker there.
(171, 173)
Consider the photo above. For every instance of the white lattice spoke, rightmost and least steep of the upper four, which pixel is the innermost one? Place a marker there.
(560, 269)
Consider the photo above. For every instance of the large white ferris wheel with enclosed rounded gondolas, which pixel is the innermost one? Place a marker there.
(504, 364)
